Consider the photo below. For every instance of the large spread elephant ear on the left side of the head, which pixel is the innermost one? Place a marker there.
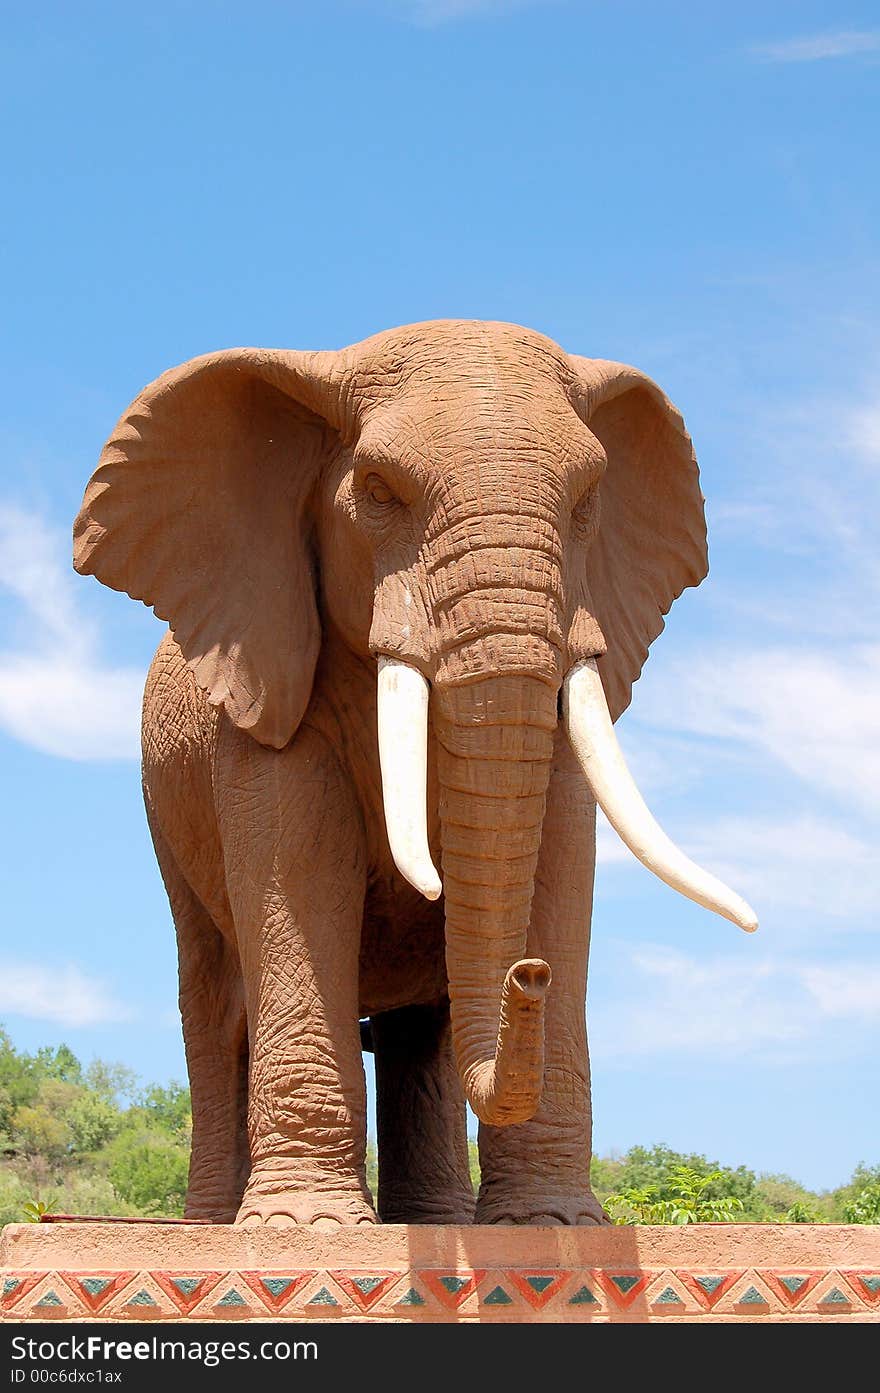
(200, 509)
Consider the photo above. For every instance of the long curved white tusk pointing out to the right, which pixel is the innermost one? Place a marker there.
(592, 736)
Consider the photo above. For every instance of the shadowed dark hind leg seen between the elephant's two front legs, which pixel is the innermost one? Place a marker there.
(421, 1119)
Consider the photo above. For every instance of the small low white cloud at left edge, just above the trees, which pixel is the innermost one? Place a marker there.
(65, 997)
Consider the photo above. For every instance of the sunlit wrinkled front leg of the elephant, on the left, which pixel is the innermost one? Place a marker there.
(296, 869)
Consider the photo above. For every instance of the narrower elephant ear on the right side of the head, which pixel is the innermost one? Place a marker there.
(651, 544)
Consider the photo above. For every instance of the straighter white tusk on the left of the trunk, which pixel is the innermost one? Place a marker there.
(403, 756)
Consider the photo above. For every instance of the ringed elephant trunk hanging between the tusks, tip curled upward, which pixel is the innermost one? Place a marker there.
(495, 747)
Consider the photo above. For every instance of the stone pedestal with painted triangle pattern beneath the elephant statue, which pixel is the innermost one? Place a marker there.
(702, 1273)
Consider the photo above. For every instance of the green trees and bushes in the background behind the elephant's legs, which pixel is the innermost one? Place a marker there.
(93, 1142)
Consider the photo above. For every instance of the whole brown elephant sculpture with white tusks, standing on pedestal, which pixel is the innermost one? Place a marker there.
(409, 586)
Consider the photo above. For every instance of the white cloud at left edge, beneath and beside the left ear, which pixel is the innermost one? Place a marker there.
(56, 693)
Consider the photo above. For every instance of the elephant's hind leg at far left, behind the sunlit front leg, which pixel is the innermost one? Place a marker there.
(214, 1019)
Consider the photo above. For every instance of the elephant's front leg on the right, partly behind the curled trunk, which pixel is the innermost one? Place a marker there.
(540, 1172)
